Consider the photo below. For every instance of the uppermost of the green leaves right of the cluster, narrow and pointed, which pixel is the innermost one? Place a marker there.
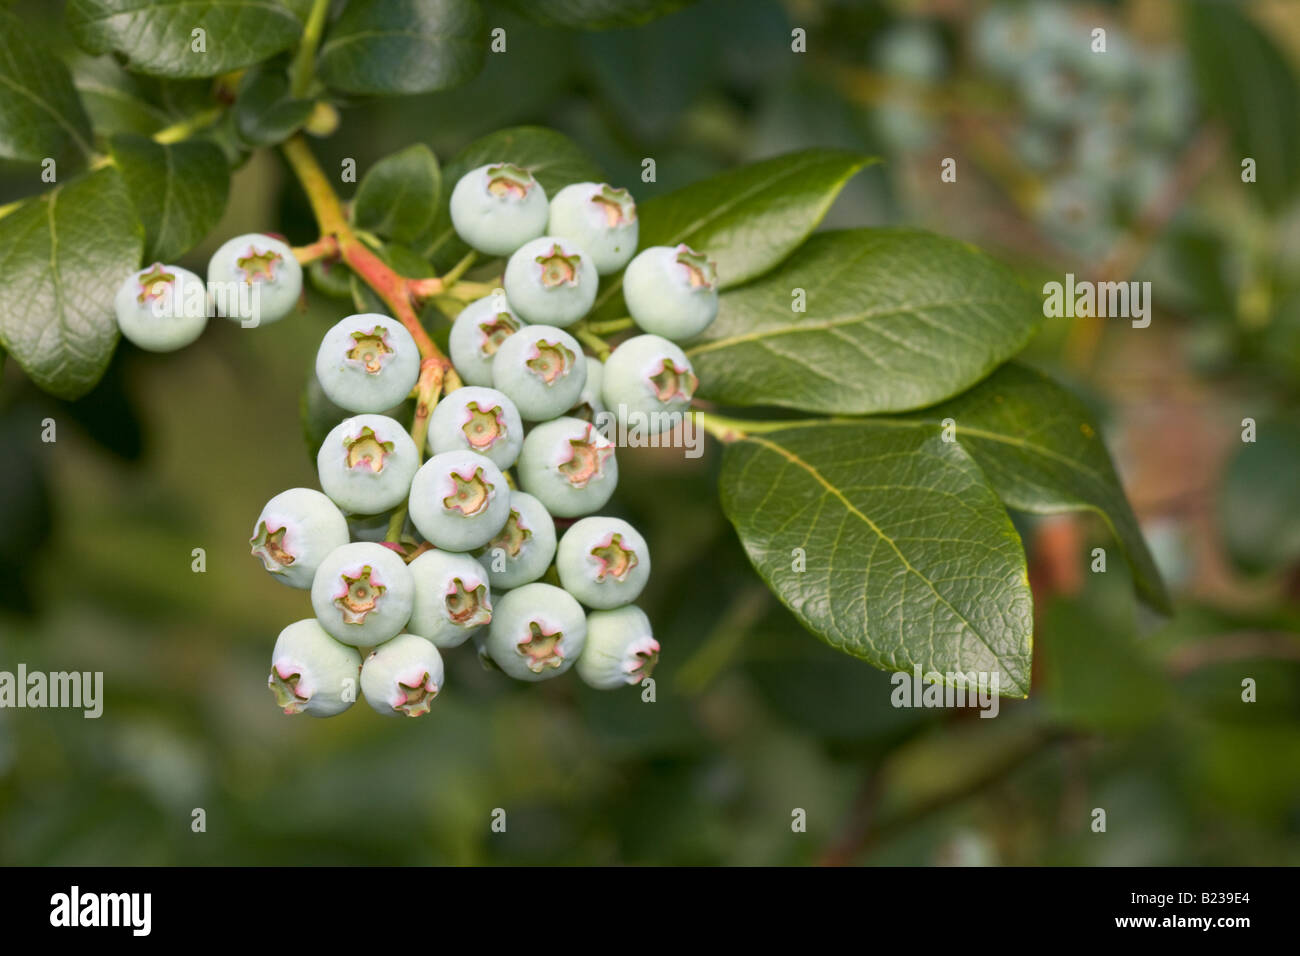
(752, 218)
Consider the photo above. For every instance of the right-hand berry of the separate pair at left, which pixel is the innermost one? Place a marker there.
(255, 279)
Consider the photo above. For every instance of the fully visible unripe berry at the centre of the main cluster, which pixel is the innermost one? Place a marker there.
(460, 500)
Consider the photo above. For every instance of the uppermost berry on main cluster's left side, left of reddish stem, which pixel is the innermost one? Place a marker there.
(369, 364)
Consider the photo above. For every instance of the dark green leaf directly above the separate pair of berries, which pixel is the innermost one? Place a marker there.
(180, 191)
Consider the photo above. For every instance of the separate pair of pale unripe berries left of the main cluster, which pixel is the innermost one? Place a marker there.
(253, 279)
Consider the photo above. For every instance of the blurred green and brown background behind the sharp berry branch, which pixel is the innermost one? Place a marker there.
(1125, 172)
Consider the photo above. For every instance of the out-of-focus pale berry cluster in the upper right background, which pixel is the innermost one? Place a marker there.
(1102, 128)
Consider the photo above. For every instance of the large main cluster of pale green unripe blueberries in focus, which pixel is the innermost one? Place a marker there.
(497, 535)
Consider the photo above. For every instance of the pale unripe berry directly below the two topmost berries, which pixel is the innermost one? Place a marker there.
(552, 280)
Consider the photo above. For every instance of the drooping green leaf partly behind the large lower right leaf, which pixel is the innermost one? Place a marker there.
(1043, 453)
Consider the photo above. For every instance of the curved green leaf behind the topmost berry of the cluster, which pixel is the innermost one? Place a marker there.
(552, 158)
